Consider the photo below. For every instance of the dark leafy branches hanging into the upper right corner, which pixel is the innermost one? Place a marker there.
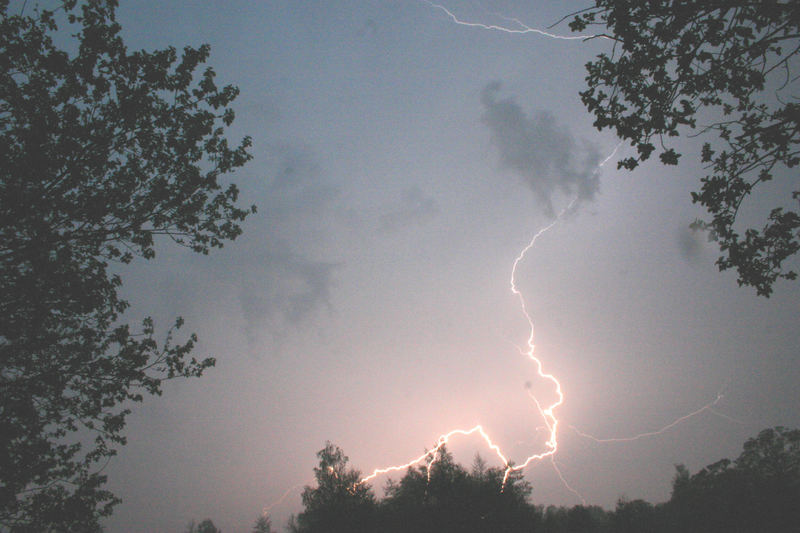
(713, 68)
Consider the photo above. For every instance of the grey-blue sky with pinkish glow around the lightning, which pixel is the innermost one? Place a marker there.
(402, 161)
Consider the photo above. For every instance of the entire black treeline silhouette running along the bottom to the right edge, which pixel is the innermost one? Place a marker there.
(757, 492)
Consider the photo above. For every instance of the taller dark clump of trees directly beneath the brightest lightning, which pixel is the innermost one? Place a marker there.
(448, 499)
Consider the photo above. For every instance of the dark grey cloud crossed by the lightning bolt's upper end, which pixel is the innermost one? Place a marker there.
(540, 151)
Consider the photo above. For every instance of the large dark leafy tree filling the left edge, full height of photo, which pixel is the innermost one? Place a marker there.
(101, 151)
